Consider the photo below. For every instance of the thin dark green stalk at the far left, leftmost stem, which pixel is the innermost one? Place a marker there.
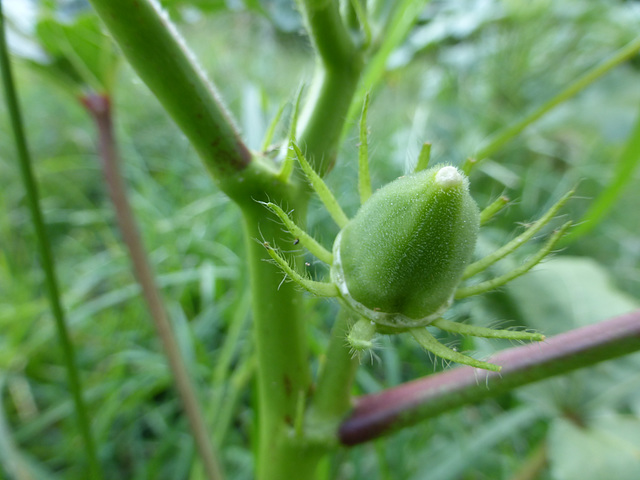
(46, 257)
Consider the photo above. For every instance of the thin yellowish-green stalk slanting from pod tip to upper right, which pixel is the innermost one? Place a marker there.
(503, 136)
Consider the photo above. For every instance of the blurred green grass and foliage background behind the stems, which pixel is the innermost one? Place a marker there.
(468, 69)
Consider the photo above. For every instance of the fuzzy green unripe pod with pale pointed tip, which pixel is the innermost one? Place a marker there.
(400, 259)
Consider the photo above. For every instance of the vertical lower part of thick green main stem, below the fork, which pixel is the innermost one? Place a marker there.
(282, 369)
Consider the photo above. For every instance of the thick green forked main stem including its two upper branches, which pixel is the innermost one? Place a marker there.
(156, 52)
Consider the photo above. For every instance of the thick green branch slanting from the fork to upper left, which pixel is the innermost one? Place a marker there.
(159, 56)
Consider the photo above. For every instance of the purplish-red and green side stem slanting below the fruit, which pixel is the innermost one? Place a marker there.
(379, 414)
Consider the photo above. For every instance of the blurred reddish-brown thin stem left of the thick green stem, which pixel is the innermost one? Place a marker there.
(99, 108)
